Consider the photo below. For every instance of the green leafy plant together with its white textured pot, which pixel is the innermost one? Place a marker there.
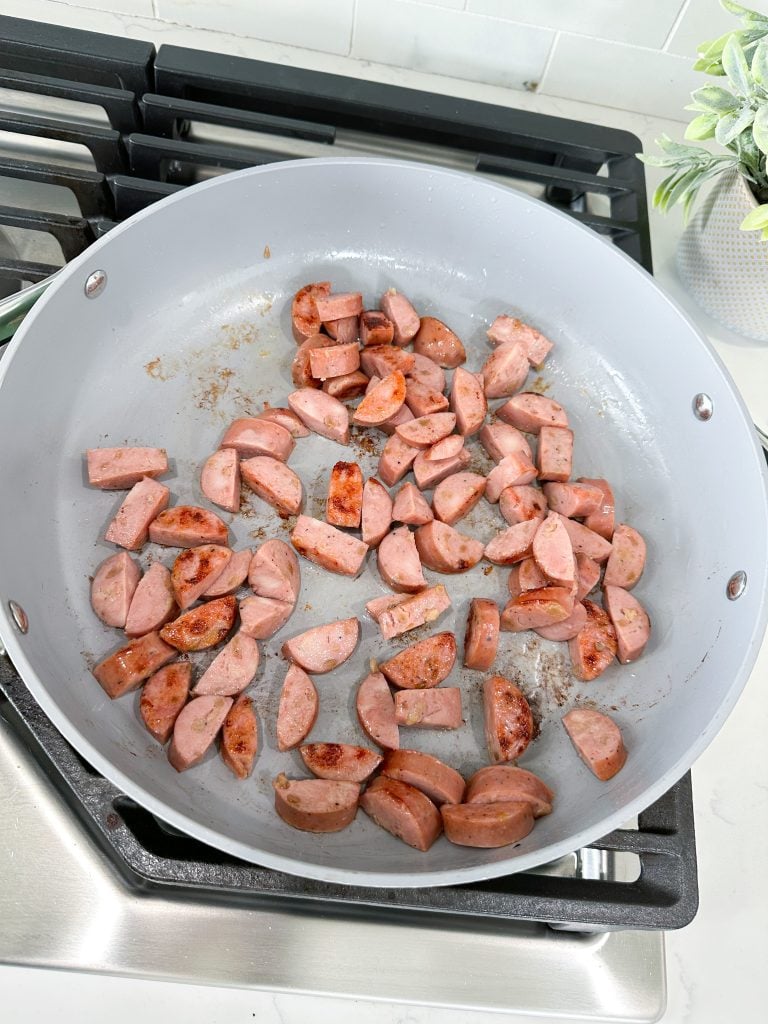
(723, 254)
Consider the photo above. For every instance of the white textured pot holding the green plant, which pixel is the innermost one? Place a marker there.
(723, 268)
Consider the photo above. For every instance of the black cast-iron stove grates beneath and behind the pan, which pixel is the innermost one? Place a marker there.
(148, 148)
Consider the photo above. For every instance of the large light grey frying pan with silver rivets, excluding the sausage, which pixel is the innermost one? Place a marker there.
(193, 329)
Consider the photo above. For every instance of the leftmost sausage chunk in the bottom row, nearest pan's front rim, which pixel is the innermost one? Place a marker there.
(317, 805)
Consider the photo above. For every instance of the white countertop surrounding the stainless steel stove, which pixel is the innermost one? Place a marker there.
(716, 966)
